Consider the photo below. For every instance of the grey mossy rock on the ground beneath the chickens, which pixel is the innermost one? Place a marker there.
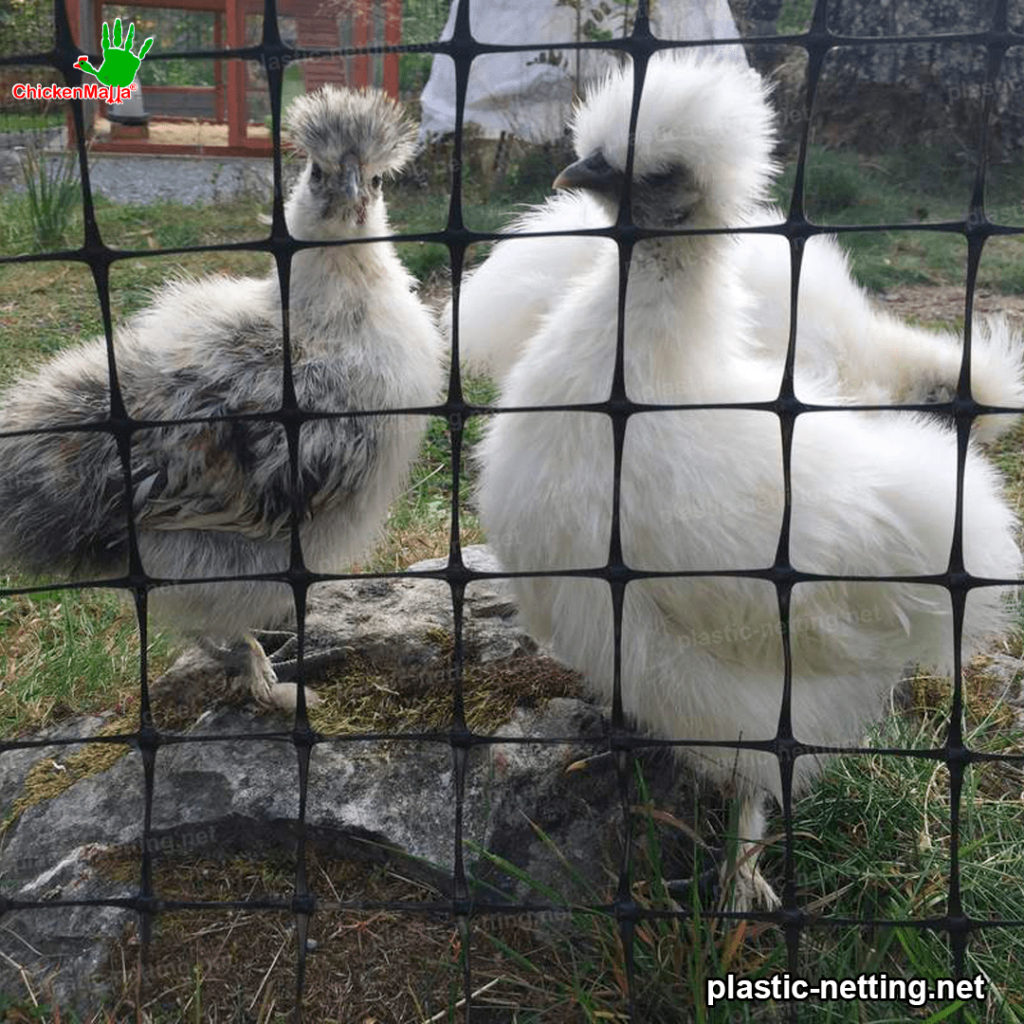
(238, 791)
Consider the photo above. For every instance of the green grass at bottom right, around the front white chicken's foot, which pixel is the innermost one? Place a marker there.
(872, 843)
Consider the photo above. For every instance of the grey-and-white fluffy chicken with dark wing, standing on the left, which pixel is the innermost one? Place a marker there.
(216, 499)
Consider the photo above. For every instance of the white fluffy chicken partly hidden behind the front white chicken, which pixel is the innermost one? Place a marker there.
(873, 357)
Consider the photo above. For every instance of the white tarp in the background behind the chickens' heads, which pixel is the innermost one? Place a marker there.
(530, 94)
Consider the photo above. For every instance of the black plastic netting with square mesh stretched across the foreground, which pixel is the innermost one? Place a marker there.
(796, 923)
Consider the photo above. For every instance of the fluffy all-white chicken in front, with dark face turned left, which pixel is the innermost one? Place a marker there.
(703, 491)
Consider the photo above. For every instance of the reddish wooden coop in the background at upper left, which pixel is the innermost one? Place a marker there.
(231, 115)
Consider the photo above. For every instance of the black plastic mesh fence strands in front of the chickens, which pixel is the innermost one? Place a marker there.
(464, 903)
